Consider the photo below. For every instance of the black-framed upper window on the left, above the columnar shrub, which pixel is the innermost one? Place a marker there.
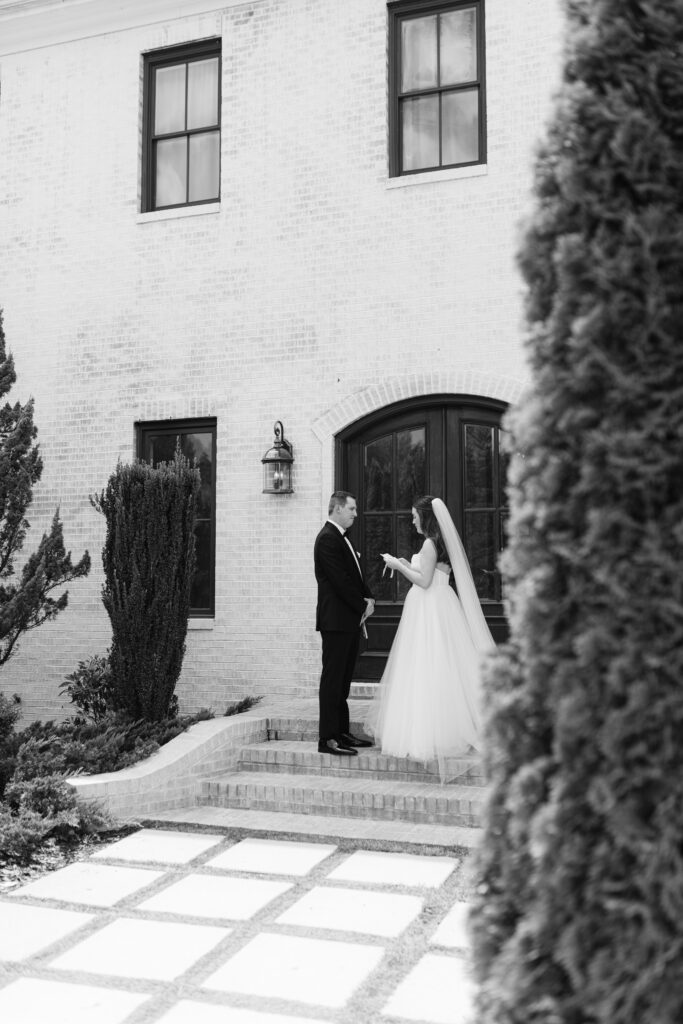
(182, 131)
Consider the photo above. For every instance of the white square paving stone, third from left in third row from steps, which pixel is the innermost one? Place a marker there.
(313, 971)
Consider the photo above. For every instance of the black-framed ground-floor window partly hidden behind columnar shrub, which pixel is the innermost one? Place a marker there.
(197, 439)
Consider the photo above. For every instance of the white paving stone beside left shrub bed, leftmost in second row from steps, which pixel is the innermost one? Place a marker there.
(83, 882)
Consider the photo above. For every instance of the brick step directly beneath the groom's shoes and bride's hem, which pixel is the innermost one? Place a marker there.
(296, 757)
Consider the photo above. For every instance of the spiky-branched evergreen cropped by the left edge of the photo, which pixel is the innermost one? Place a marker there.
(26, 600)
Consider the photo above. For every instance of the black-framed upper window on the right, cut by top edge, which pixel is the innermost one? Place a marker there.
(437, 83)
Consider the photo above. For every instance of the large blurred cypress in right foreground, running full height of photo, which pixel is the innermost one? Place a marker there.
(579, 915)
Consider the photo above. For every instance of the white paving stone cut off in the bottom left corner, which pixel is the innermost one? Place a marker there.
(30, 1001)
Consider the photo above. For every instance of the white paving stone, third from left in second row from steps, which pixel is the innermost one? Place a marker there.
(354, 911)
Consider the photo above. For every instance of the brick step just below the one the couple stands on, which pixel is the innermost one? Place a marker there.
(415, 802)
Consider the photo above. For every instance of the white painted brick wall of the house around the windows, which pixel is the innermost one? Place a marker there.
(313, 285)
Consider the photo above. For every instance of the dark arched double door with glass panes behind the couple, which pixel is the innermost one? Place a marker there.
(447, 446)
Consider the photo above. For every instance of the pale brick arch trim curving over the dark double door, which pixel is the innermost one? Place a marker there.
(399, 389)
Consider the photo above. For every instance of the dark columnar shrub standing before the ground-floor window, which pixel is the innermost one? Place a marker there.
(149, 562)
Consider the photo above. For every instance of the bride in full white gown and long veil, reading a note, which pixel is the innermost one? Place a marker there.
(429, 705)
